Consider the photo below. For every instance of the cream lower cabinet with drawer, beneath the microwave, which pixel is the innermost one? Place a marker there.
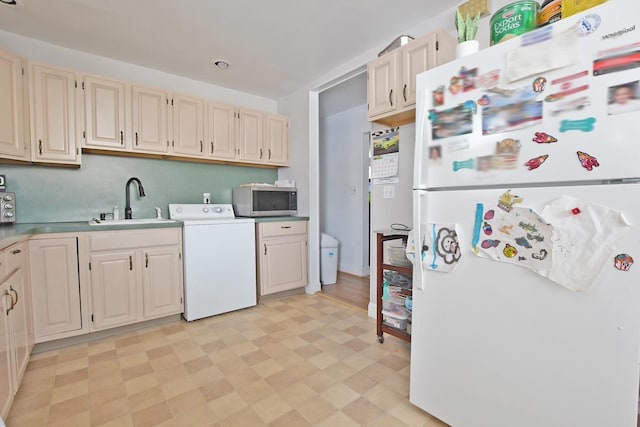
(282, 253)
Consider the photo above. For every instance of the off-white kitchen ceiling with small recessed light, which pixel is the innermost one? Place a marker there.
(274, 46)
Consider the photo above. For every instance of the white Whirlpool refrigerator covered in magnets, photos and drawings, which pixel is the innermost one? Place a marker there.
(526, 216)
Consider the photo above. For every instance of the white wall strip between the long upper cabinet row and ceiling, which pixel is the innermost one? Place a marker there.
(47, 53)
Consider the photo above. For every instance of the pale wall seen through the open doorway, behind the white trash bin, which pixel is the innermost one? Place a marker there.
(342, 188)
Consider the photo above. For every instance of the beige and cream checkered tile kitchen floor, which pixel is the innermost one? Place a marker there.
(298, 361)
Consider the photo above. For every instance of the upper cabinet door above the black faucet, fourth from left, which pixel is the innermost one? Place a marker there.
(150, 120)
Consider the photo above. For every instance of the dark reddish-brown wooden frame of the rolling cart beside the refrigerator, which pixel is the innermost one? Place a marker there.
(382, 328)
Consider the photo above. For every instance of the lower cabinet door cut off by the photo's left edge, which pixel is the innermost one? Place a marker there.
(6, 347)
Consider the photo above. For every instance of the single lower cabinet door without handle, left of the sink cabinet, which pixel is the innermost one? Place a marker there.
(55, 286)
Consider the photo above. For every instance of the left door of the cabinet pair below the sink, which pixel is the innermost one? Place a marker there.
(113, 289)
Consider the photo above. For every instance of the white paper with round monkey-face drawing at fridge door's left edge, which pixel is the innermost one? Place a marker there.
(440, 247)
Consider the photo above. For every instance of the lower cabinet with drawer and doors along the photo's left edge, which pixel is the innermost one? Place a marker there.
(16, 337)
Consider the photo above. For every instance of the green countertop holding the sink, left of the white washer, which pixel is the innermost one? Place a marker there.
(12, 233)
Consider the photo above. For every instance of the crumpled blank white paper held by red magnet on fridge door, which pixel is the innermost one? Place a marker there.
(584, 237)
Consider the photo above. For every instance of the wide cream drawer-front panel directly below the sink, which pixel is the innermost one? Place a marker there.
(133, 239)
